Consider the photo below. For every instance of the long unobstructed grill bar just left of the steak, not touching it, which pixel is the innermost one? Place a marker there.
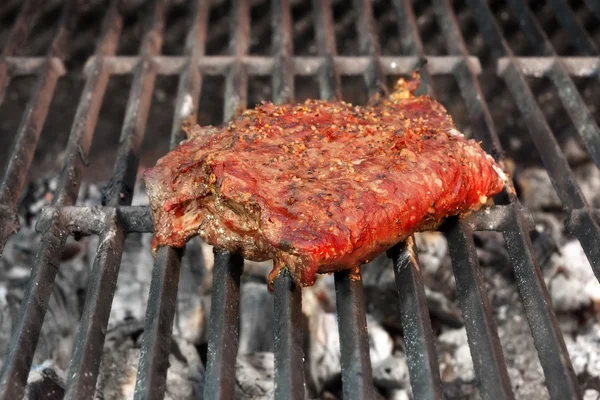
(83, 371)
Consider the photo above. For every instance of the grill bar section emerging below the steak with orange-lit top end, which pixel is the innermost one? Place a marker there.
(416, 325)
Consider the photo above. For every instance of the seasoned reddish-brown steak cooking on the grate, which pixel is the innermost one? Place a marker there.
(320, 186)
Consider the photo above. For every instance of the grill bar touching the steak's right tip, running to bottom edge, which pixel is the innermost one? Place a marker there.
(546, 332)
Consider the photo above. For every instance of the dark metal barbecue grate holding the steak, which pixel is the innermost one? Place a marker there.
(118, 218)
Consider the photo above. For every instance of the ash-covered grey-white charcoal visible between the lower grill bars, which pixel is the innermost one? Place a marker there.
(255, 372)
